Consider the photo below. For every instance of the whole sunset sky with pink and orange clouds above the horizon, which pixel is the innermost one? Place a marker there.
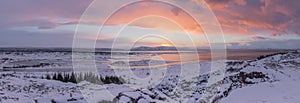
(246, 24)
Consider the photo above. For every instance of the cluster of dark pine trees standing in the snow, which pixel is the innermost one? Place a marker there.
(90, 77)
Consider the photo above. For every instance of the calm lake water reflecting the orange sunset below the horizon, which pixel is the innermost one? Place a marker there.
(162, 58)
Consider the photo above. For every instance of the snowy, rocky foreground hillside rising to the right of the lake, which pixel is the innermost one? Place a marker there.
(273, 78)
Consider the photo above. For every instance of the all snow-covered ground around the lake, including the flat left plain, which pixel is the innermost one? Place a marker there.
(273, 79)
